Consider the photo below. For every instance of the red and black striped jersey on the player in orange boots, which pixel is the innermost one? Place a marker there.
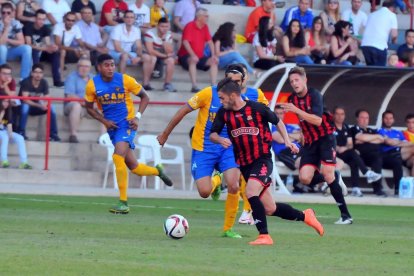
(248, 130)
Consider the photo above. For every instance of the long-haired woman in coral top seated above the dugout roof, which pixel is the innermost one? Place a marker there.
(316, 40)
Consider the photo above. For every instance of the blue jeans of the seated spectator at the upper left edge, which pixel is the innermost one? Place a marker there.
(24, 52)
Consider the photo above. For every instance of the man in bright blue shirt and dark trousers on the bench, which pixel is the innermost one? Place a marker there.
(395, 149)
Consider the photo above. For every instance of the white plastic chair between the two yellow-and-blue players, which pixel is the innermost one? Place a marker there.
(152, 152)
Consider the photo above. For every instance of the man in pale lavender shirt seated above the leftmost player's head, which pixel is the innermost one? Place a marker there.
(93, 36)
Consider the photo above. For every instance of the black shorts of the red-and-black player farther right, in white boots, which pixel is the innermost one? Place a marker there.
(321, 151)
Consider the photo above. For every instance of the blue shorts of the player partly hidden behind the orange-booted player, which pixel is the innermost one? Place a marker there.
(203, 163)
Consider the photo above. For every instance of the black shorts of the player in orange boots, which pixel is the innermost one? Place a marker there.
(261, 170)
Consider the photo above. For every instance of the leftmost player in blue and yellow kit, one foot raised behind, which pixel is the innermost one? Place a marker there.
(112, 93)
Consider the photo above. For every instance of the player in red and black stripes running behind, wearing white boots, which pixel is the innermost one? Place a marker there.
(320, 144)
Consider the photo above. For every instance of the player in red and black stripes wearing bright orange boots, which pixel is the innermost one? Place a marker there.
(248, 128)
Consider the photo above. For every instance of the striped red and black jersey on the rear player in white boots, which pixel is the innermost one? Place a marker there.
(312, 103)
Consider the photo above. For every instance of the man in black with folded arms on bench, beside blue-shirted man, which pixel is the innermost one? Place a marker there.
(367, 142)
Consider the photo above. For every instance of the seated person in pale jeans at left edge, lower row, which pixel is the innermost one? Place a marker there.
(7, 134)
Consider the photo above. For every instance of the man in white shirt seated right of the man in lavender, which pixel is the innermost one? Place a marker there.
(125, 43)
